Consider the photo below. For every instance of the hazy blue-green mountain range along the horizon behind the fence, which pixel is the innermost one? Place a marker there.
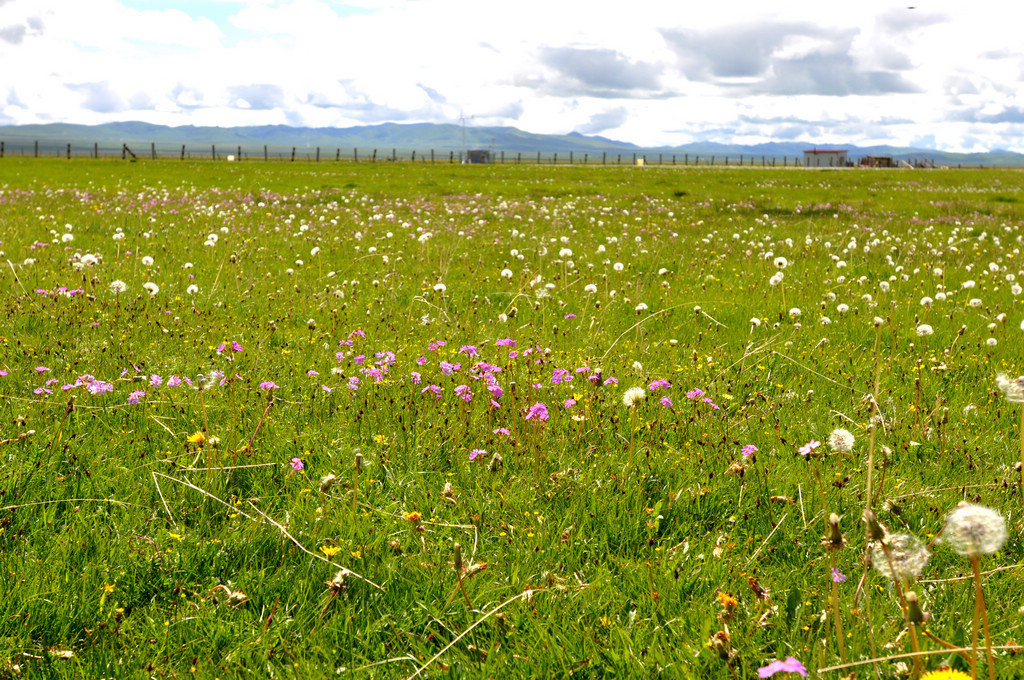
(403, 140)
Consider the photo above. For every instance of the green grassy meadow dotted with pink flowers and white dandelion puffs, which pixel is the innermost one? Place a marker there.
(404, 420)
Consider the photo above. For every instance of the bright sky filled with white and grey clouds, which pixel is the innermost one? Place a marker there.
(936, 75)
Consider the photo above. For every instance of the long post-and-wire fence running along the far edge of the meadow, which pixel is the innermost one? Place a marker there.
(167, 151)
